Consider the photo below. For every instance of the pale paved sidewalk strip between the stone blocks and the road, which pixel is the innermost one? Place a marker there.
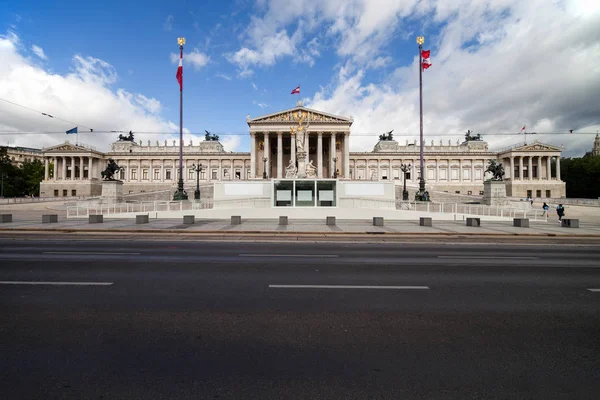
(350, 227)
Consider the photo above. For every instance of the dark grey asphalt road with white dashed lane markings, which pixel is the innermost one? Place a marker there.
(200, 320)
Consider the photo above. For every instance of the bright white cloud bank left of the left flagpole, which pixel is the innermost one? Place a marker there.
(83, 96)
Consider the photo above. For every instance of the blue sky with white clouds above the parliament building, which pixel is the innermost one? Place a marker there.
(109, 65)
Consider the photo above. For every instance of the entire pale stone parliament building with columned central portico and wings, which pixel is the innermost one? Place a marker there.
(453, 167)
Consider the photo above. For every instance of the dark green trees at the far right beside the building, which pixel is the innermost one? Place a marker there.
(582, 176)
